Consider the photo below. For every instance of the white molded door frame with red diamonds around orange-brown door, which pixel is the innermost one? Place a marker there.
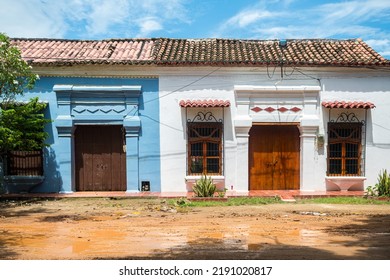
(288, 103)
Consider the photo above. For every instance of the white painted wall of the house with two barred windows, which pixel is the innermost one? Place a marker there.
(213, 83)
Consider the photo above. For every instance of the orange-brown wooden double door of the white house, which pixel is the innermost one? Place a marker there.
(274, 157)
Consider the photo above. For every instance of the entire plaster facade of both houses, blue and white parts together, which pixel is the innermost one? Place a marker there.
(162, 138)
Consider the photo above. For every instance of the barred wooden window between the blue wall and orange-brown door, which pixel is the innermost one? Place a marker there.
(204, 148)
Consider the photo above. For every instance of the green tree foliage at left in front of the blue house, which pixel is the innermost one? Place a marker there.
(21, 124)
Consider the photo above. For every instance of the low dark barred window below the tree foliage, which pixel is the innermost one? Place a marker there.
(24, 163)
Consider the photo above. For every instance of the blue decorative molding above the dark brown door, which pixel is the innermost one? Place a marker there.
(82, 104)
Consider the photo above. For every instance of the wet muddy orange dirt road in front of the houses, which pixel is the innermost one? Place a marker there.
(102, 228)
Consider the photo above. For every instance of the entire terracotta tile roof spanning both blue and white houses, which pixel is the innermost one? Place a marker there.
(165, 51)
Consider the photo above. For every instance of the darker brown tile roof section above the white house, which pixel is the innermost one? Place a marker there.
(261, 52)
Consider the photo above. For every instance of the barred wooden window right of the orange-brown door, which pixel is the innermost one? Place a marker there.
(344, 149)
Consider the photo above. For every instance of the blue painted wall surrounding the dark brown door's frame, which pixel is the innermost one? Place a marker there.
(57, 178)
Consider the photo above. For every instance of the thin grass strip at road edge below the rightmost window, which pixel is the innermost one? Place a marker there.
(342, 200)
